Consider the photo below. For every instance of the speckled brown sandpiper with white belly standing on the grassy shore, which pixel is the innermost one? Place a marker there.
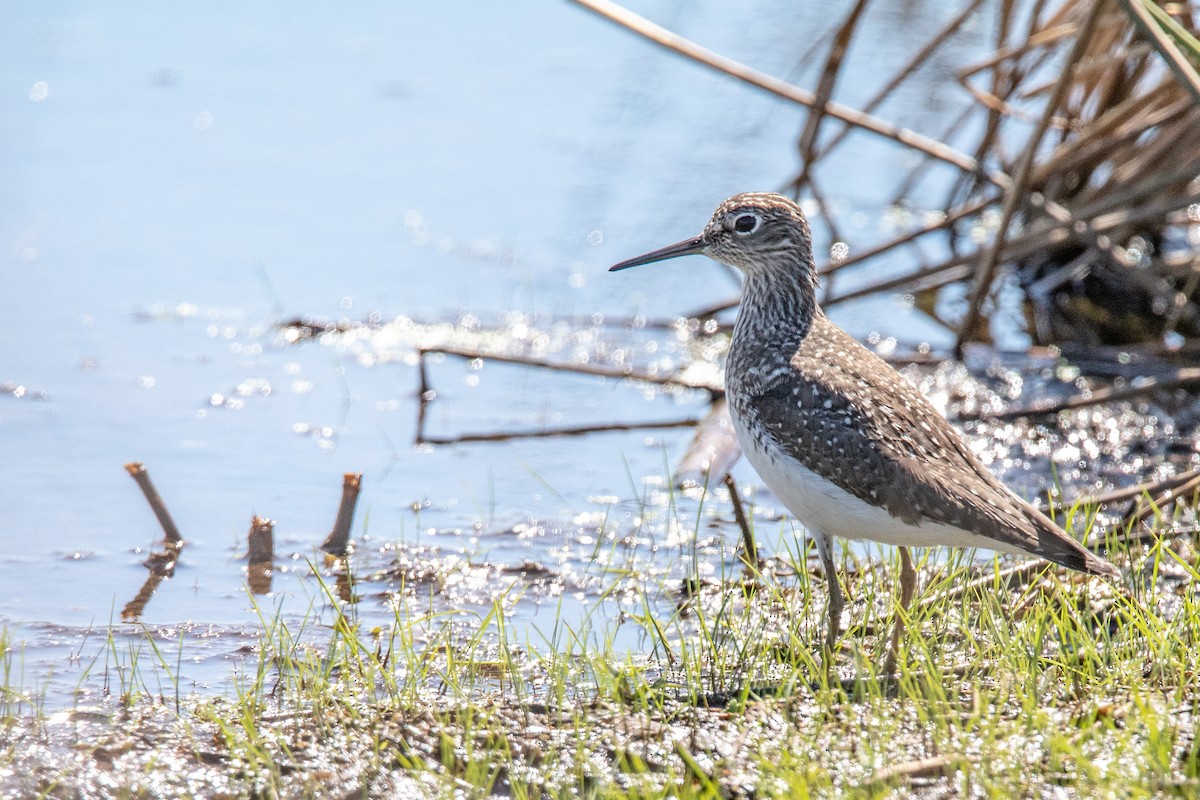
(845, 443)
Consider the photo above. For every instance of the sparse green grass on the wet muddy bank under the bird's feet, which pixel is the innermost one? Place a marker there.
(1055, 685)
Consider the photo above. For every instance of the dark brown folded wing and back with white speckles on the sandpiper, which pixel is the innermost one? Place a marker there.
(847, 414)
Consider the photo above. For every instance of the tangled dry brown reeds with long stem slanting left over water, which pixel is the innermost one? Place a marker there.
(1085, 172)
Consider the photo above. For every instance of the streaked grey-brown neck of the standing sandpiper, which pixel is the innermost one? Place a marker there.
(776, 315)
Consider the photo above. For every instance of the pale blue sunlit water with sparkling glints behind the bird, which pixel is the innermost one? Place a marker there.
(177, 183)
